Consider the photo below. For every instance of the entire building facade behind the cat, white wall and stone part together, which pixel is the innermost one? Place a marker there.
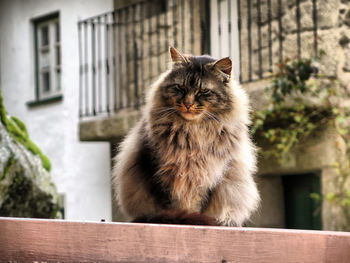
(118, 53)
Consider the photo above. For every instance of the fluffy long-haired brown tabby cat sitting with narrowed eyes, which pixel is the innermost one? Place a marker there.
(190, 156)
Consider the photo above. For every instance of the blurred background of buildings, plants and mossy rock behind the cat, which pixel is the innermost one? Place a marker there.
(75, 73)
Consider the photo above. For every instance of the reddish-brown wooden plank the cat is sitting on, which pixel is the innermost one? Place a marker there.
(57, 240)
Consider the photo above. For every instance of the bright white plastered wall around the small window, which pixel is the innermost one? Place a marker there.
(80, 170)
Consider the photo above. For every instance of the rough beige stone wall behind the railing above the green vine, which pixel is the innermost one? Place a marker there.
(333, 35)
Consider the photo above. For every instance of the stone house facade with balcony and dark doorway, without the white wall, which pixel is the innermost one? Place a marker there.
(257, 35)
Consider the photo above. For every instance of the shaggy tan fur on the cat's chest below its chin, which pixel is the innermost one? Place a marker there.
(192, 160)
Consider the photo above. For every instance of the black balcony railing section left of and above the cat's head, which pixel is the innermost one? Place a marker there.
(124, 51)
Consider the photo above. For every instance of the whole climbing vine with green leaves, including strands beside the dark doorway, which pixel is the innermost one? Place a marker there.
(301, 101)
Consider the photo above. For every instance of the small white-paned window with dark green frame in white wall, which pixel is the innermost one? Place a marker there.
(47, 44)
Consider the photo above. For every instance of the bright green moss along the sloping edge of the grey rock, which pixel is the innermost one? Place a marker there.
(18, 131)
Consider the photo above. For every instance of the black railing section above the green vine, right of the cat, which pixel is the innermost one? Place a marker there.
(271, 31)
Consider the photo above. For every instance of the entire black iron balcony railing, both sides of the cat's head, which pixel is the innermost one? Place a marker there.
(124, 51)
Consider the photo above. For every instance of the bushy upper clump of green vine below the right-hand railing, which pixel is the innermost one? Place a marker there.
(301, 101)
